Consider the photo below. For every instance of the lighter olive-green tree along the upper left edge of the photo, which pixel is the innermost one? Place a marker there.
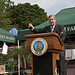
(4, 20)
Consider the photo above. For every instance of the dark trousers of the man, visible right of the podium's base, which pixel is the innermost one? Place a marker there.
(61, 64)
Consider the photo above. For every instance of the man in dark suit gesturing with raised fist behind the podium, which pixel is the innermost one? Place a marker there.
(59, 29)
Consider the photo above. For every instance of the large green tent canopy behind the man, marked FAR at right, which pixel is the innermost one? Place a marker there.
(65, 17)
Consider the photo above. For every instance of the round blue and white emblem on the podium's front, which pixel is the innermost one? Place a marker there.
(39, 46)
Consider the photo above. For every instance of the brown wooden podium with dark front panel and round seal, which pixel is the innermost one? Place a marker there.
(45, 63)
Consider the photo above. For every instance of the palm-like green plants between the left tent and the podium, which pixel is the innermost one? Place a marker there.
(25, 56)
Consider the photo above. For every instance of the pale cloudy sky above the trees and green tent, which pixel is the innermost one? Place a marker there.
(50, 6)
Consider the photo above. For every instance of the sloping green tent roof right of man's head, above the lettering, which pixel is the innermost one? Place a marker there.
(66, 16)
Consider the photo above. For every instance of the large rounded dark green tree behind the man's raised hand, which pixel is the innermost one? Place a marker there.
(23, 14)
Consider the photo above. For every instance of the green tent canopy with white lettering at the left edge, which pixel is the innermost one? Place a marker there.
(5, 36)
